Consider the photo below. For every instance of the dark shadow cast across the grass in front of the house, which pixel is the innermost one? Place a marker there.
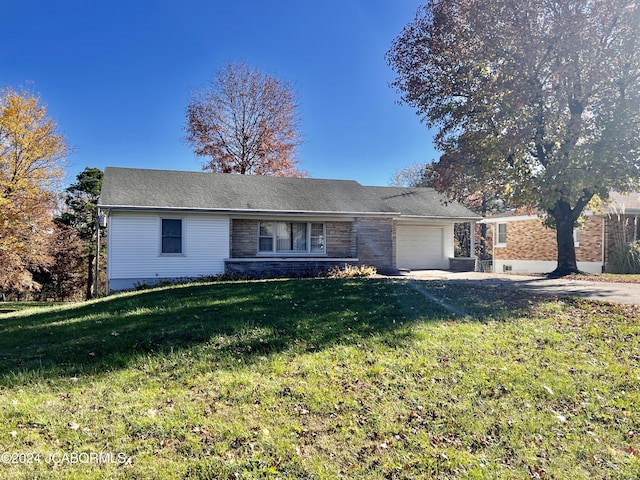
(247, 320)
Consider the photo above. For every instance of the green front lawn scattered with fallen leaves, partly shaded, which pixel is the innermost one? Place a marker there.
(326, 378)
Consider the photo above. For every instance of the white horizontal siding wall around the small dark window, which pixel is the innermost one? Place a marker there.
(134, 247)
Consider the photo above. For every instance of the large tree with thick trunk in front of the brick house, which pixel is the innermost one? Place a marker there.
(536, 100)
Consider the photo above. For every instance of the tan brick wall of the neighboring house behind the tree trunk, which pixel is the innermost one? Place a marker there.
(530, 240)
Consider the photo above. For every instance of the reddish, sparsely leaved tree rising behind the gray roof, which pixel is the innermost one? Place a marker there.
(245, 122)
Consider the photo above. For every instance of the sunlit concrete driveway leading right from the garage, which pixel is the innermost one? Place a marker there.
(602, 291)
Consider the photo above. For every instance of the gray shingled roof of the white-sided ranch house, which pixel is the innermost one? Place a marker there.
(165, 189)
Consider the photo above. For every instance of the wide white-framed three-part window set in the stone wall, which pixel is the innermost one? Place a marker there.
(291, 237)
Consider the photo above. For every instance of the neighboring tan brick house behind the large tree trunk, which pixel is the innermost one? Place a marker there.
(524, 245)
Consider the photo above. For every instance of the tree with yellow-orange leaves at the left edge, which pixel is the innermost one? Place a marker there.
(31, 158)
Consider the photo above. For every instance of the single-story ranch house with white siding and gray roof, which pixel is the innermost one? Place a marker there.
(167, 225)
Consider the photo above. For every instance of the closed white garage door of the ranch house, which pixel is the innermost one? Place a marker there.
(419, 247)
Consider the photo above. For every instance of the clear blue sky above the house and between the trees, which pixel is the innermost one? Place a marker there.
(117, 76)
